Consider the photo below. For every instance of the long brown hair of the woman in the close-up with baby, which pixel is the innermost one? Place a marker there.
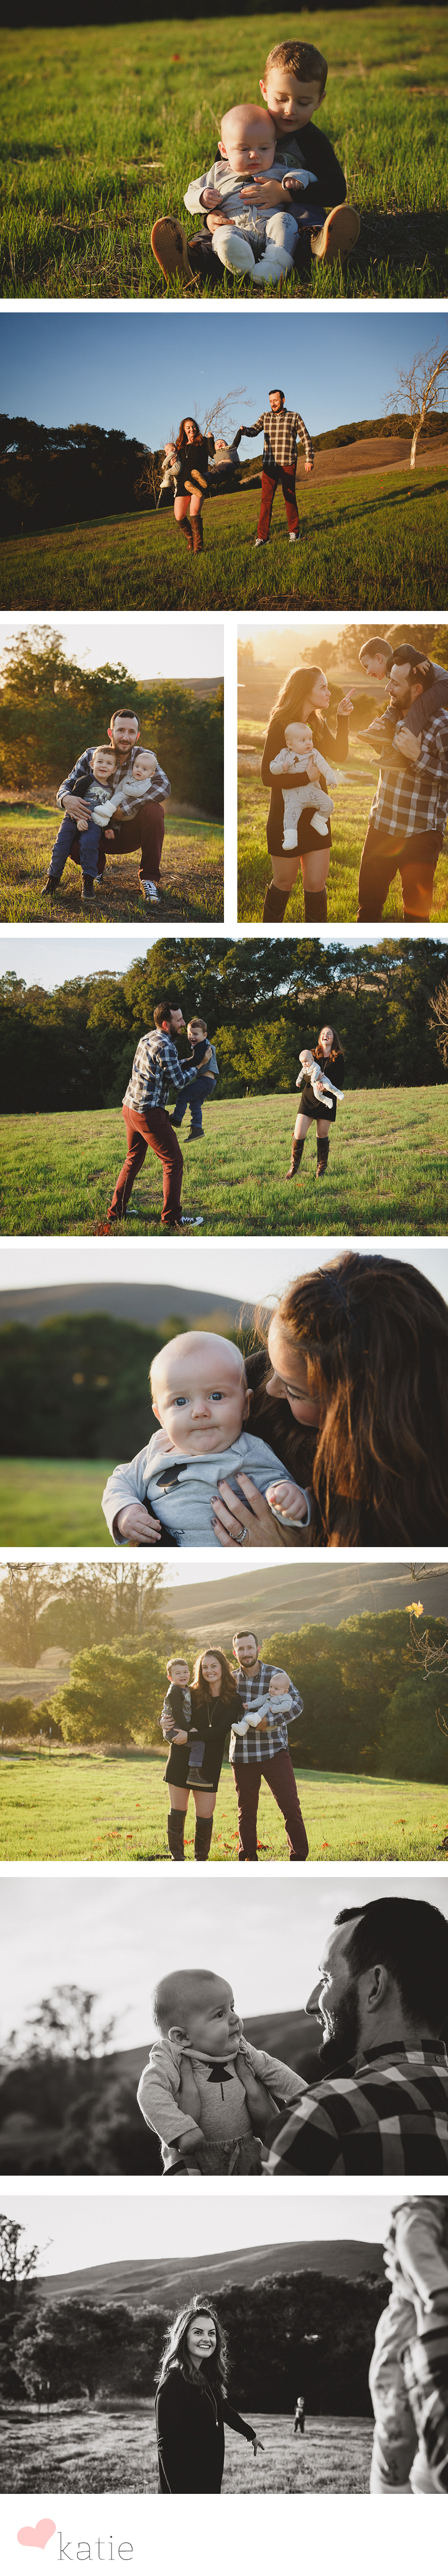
(377, 1349)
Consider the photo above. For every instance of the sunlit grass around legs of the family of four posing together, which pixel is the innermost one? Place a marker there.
(94, 1807)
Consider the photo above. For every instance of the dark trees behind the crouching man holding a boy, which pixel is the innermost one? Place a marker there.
(53, 710)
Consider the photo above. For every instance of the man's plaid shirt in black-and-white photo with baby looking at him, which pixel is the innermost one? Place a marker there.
(385, 2116)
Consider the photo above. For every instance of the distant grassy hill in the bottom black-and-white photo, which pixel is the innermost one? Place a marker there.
(163, 2284)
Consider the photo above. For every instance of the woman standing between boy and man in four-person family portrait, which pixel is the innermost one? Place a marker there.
(215, 1704)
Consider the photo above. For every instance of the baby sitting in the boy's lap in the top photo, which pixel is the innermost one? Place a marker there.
(248, 148)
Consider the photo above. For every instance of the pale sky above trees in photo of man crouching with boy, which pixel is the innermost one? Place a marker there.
(151, 650)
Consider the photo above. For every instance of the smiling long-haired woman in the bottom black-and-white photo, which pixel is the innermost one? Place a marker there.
(192, 2405)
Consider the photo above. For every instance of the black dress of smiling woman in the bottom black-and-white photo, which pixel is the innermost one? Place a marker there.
(192, 2420)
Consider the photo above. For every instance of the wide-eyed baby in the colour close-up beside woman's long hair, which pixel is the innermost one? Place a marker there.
(202, 1403)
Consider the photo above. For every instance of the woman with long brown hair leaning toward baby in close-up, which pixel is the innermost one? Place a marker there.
(359, 1359)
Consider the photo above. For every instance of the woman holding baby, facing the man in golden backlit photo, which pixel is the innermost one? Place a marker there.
(303, 699)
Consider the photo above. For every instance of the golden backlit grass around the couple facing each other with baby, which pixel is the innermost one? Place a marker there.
(349, 831)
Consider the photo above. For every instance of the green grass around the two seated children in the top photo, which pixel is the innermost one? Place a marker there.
(99, 138)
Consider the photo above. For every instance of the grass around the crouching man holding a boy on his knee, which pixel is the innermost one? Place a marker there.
(192, 882)
